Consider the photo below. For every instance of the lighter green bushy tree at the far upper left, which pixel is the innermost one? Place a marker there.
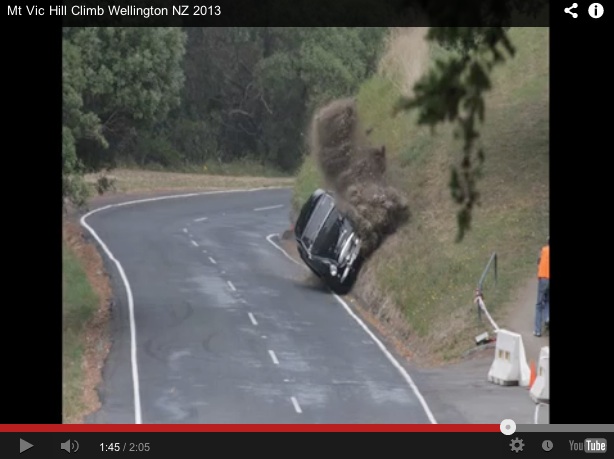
(114, 80)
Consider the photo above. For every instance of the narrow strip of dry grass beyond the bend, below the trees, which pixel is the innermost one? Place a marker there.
(136, 181)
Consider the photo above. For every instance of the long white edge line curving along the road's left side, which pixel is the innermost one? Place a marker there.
(138, 416)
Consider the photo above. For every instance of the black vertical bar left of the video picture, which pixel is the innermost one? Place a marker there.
(32, 305)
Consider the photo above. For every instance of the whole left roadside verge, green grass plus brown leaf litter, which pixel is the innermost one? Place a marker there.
(86, 299)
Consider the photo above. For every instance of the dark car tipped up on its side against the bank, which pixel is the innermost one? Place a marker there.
(327, 241)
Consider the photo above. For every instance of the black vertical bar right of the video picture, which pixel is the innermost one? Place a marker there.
(579, 182)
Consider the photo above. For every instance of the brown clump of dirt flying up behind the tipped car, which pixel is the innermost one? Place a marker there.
(354, 171)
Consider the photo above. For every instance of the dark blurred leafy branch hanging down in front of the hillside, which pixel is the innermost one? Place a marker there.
(453, 91)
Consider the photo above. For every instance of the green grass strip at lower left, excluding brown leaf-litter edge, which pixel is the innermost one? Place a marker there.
(79, 304)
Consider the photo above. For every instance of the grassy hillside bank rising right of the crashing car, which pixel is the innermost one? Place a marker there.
(421, 282)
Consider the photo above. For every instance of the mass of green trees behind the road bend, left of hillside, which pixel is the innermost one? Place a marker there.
(177, 98)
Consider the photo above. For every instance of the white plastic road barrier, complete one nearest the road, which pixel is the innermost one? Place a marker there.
(510, 367)
